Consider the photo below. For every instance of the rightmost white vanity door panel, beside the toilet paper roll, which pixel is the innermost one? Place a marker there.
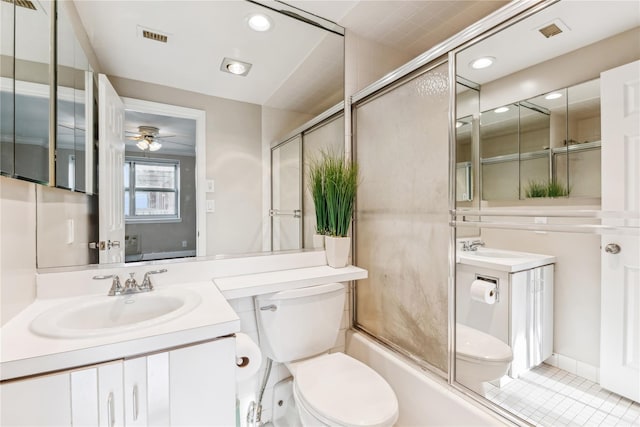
(202, 381)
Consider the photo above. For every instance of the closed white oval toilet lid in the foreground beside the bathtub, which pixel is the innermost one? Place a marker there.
(344, 391)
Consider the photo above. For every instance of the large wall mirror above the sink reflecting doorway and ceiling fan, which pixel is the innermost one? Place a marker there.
(292, 73)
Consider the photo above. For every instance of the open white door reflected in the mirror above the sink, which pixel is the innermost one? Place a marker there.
(110, 181)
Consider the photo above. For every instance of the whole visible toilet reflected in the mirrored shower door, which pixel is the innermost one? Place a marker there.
(480, 357)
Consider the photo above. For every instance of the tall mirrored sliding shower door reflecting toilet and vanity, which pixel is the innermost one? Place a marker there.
(547, 205)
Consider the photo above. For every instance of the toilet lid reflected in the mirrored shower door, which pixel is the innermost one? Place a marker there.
(474, 344)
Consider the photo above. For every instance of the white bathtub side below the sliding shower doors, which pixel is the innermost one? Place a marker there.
(423, 399)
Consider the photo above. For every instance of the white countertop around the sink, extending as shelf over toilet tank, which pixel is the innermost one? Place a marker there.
(24, 353)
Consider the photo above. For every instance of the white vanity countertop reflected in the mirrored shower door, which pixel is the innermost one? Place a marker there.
(503, 260)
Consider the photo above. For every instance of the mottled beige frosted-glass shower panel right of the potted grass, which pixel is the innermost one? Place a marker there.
(402, 231)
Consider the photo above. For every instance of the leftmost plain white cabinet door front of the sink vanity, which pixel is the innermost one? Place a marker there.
(40, 401)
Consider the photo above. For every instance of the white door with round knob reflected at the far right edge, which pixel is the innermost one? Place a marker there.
(620, 304)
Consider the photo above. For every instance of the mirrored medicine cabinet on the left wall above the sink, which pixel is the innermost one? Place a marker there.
(45, 97)
